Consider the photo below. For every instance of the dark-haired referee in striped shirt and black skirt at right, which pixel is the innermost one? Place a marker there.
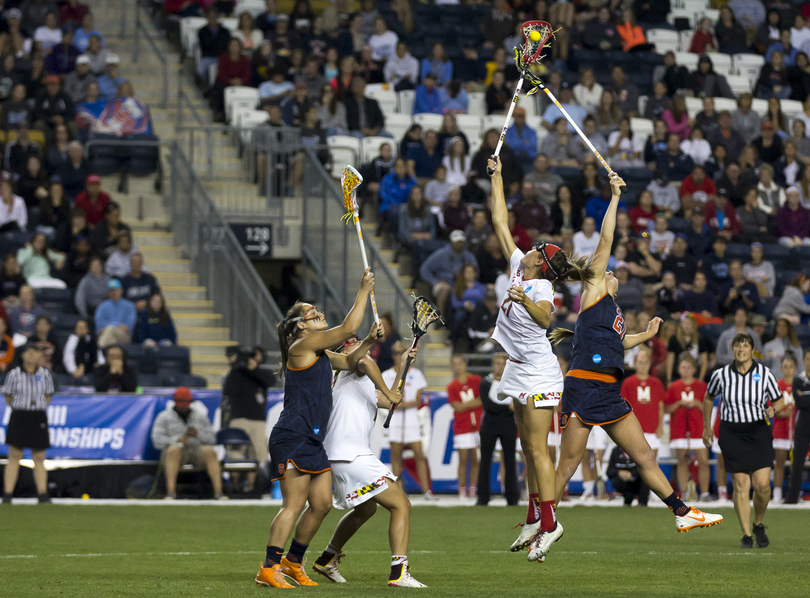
(745, 431)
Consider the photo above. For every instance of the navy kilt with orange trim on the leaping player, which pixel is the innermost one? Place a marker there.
(593, 402)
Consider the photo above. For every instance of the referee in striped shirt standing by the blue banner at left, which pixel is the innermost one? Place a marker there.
(28, 391)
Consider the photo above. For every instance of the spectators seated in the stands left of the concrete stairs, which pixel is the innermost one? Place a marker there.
(72, 282)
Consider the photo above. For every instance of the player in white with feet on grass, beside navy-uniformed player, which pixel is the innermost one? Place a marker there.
(360, 479)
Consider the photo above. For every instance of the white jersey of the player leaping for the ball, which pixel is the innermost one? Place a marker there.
(520, 336)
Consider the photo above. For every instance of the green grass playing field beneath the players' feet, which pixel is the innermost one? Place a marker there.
(178, 551)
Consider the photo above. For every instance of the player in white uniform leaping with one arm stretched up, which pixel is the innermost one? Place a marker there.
(532, 377)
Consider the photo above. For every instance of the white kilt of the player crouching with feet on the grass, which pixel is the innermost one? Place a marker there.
(354, 482)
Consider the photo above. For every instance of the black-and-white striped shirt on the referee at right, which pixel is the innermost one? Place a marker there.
(745, 396)
